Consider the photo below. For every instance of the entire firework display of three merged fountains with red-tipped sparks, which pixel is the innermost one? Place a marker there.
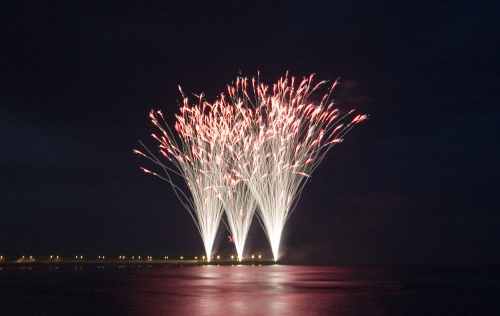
(248, 153)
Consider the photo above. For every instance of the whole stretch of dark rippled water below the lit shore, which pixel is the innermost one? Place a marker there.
(247, 290)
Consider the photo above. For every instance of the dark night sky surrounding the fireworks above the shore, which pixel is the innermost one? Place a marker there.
(417, 183)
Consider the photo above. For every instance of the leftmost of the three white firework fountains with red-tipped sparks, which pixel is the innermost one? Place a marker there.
(198, 161)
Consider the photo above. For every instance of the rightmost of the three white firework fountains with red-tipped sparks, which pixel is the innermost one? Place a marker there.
(286, 140)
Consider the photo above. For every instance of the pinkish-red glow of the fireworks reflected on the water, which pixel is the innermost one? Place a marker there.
(269, 290)
